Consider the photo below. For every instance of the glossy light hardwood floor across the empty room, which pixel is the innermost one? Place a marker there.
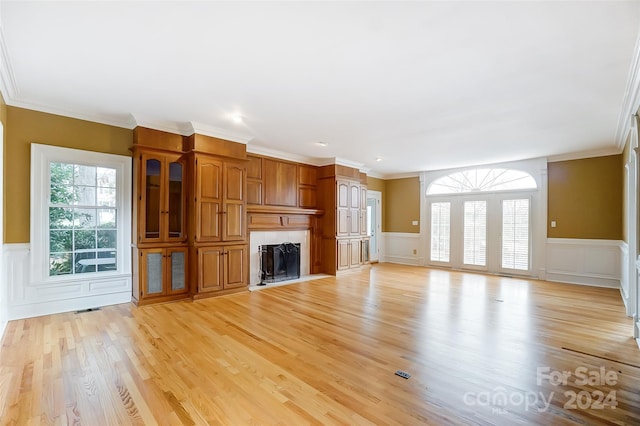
(325, 352)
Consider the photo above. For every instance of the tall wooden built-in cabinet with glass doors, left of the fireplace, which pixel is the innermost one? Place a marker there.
(189, 218)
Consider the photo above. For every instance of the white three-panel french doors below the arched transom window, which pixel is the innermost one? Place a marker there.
(486, 232)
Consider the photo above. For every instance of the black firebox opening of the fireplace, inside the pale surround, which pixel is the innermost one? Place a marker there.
(279, 262)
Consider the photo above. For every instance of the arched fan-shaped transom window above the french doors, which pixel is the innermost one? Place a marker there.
(482, 180)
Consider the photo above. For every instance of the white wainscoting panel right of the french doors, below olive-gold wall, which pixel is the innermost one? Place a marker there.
(582, 261)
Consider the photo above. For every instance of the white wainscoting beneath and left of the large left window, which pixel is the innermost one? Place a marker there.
(25, 299)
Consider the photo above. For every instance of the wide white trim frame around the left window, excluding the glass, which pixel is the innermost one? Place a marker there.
(41, 157)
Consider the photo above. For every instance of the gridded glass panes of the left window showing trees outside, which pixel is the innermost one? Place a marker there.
(82, 219)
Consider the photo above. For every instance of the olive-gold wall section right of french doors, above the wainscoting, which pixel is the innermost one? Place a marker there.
(585, 198)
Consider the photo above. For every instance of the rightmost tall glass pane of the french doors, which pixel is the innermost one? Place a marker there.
(515, 234)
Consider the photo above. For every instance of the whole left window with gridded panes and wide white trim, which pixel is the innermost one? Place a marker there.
(80, 216)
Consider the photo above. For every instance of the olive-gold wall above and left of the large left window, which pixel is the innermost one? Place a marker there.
(22, 127)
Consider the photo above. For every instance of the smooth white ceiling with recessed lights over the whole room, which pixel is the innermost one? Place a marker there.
(419, 85)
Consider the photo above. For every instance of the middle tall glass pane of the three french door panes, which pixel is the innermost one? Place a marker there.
(475, 233)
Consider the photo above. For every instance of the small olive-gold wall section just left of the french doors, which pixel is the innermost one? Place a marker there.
(401, 205)
